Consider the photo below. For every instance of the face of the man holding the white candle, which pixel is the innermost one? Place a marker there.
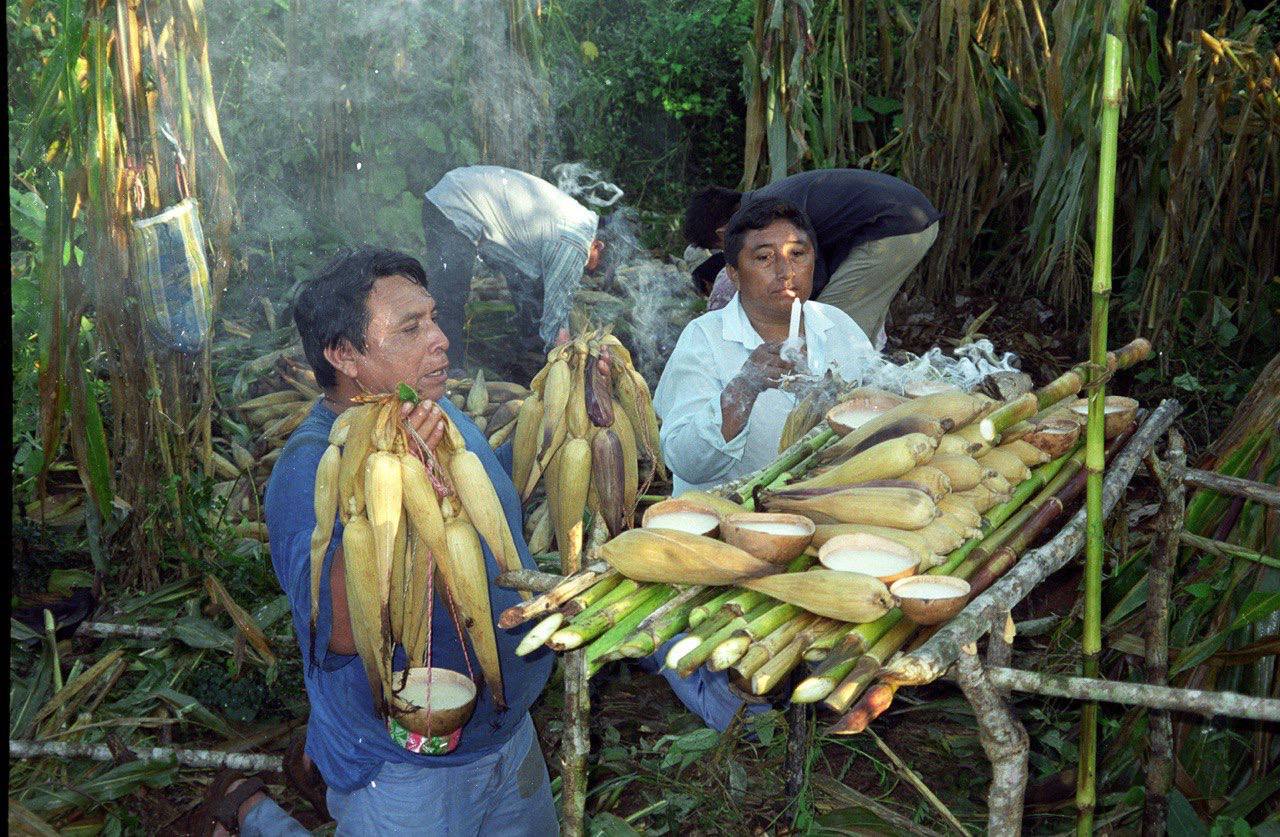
(774, 269)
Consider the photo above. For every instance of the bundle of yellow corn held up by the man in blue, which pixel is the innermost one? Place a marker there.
(410, 515)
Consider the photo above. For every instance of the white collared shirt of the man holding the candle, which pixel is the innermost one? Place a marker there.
(710, 354)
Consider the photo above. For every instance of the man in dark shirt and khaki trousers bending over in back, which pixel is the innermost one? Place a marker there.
(872, 231)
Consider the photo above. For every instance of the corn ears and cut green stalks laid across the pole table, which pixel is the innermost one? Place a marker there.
(885, 479)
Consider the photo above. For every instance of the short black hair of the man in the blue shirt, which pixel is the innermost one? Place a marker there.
(332, 309)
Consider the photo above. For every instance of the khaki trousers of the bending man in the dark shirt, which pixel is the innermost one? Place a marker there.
(866, 283)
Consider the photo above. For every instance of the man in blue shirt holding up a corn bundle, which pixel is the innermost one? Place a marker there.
(368, 324)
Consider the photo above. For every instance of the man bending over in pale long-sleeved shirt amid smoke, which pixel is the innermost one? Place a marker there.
(523, 227)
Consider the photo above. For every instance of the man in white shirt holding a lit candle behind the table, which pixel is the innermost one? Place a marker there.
(720, 397)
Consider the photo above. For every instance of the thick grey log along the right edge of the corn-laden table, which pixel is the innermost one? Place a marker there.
(932, 660)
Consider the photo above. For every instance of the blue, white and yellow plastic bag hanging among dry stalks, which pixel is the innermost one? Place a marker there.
(168, 259)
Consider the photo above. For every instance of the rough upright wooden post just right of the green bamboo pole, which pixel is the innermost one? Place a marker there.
(1164, 559)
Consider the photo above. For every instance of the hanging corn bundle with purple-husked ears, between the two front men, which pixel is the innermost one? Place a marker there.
(587, 436)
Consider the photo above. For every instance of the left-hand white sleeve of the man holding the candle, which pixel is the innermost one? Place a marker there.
(688, 401)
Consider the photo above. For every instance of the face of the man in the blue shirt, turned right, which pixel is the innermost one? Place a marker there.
(404, 344)
